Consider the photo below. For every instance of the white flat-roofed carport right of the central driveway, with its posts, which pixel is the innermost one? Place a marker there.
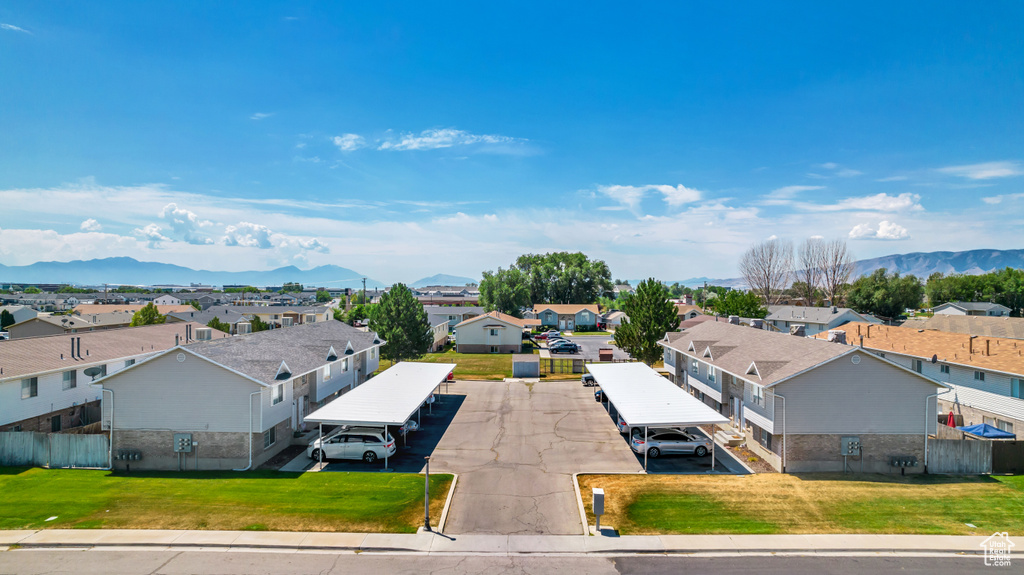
(646, 400)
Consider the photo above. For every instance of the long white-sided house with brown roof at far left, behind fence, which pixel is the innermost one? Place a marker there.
(45, 382)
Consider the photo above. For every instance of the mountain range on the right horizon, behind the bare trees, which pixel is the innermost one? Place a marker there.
(922, 264)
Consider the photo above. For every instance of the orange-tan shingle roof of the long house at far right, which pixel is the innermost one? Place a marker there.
(999, 355)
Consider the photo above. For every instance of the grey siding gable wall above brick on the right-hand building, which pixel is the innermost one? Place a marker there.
(872, 397)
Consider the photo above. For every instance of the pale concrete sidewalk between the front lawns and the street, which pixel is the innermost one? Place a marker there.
(500, 545)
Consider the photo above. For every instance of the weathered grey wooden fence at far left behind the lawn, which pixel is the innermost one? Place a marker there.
(54, 450)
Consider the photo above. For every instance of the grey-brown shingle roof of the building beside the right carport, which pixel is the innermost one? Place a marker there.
(778, 357)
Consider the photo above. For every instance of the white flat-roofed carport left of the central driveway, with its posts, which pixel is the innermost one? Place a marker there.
(389, 400)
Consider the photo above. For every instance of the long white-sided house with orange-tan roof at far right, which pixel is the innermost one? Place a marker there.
(986, 375)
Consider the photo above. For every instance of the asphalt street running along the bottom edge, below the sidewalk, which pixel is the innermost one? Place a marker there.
(78, 562)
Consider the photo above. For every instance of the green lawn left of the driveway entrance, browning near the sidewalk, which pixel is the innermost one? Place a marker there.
(229, 501)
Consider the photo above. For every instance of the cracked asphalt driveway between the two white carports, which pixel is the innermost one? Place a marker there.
(517, 447)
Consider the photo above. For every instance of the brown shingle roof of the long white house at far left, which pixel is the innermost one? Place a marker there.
(28, 357)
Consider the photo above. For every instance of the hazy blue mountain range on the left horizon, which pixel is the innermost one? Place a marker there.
(133, 273)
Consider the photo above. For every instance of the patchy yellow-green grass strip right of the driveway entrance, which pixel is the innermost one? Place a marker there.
(808, 504)
